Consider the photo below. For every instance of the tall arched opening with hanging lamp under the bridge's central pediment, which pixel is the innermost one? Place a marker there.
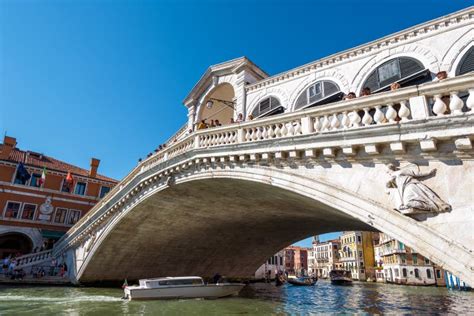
(220, 109)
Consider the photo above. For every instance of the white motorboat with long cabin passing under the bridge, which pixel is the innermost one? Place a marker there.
(179, 287)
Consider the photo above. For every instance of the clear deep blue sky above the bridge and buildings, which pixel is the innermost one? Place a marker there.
(106, 78)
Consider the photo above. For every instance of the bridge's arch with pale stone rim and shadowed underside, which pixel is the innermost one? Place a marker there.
(262, 207)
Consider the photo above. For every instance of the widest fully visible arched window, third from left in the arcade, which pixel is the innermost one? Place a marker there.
(406, 71)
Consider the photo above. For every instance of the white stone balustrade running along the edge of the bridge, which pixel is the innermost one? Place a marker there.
(389, 108)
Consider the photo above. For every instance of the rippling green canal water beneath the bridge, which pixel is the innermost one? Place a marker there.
(256, 299)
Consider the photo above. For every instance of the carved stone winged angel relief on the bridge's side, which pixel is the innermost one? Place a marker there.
(410, 194)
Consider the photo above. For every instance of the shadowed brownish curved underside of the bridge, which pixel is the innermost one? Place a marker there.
(208, 226)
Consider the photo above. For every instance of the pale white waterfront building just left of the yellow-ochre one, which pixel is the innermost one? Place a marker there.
(326, 257)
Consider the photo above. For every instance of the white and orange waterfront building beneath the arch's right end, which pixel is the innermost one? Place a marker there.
(402, 265)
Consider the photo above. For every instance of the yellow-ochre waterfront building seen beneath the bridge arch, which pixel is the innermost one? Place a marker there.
(356, 254)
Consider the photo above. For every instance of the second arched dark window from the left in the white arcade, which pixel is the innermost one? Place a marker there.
(319, 93)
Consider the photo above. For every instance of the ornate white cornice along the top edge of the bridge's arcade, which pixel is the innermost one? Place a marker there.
(377, 45)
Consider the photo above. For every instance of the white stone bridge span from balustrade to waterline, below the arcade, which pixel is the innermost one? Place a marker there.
(225, 199)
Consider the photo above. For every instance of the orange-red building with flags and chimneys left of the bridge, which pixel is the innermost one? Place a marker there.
(42, 197)
